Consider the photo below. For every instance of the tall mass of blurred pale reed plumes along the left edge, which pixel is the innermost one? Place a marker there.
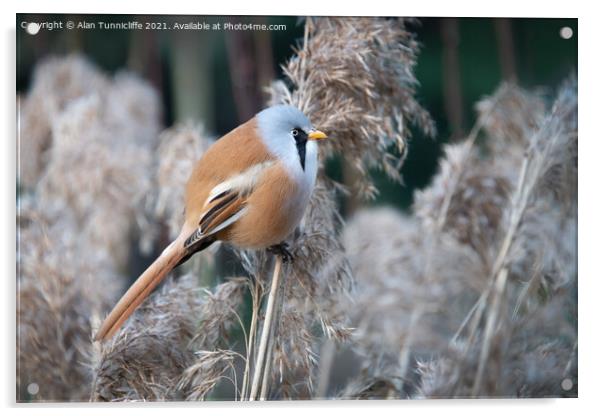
(86, 147)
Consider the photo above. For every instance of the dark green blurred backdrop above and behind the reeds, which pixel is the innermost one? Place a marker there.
(217, 77)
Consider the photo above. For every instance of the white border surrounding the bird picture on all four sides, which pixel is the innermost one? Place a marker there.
(590, 213)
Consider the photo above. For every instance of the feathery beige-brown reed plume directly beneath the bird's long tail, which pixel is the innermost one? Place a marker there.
(171, 348)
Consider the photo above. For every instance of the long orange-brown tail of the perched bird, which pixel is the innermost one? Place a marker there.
(141, 288)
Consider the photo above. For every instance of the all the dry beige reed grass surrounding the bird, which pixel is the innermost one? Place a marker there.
(471, 293)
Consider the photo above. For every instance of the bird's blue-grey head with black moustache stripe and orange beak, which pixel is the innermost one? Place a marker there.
(289, 135)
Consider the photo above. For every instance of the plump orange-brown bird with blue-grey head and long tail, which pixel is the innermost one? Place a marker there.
(249, 189)
